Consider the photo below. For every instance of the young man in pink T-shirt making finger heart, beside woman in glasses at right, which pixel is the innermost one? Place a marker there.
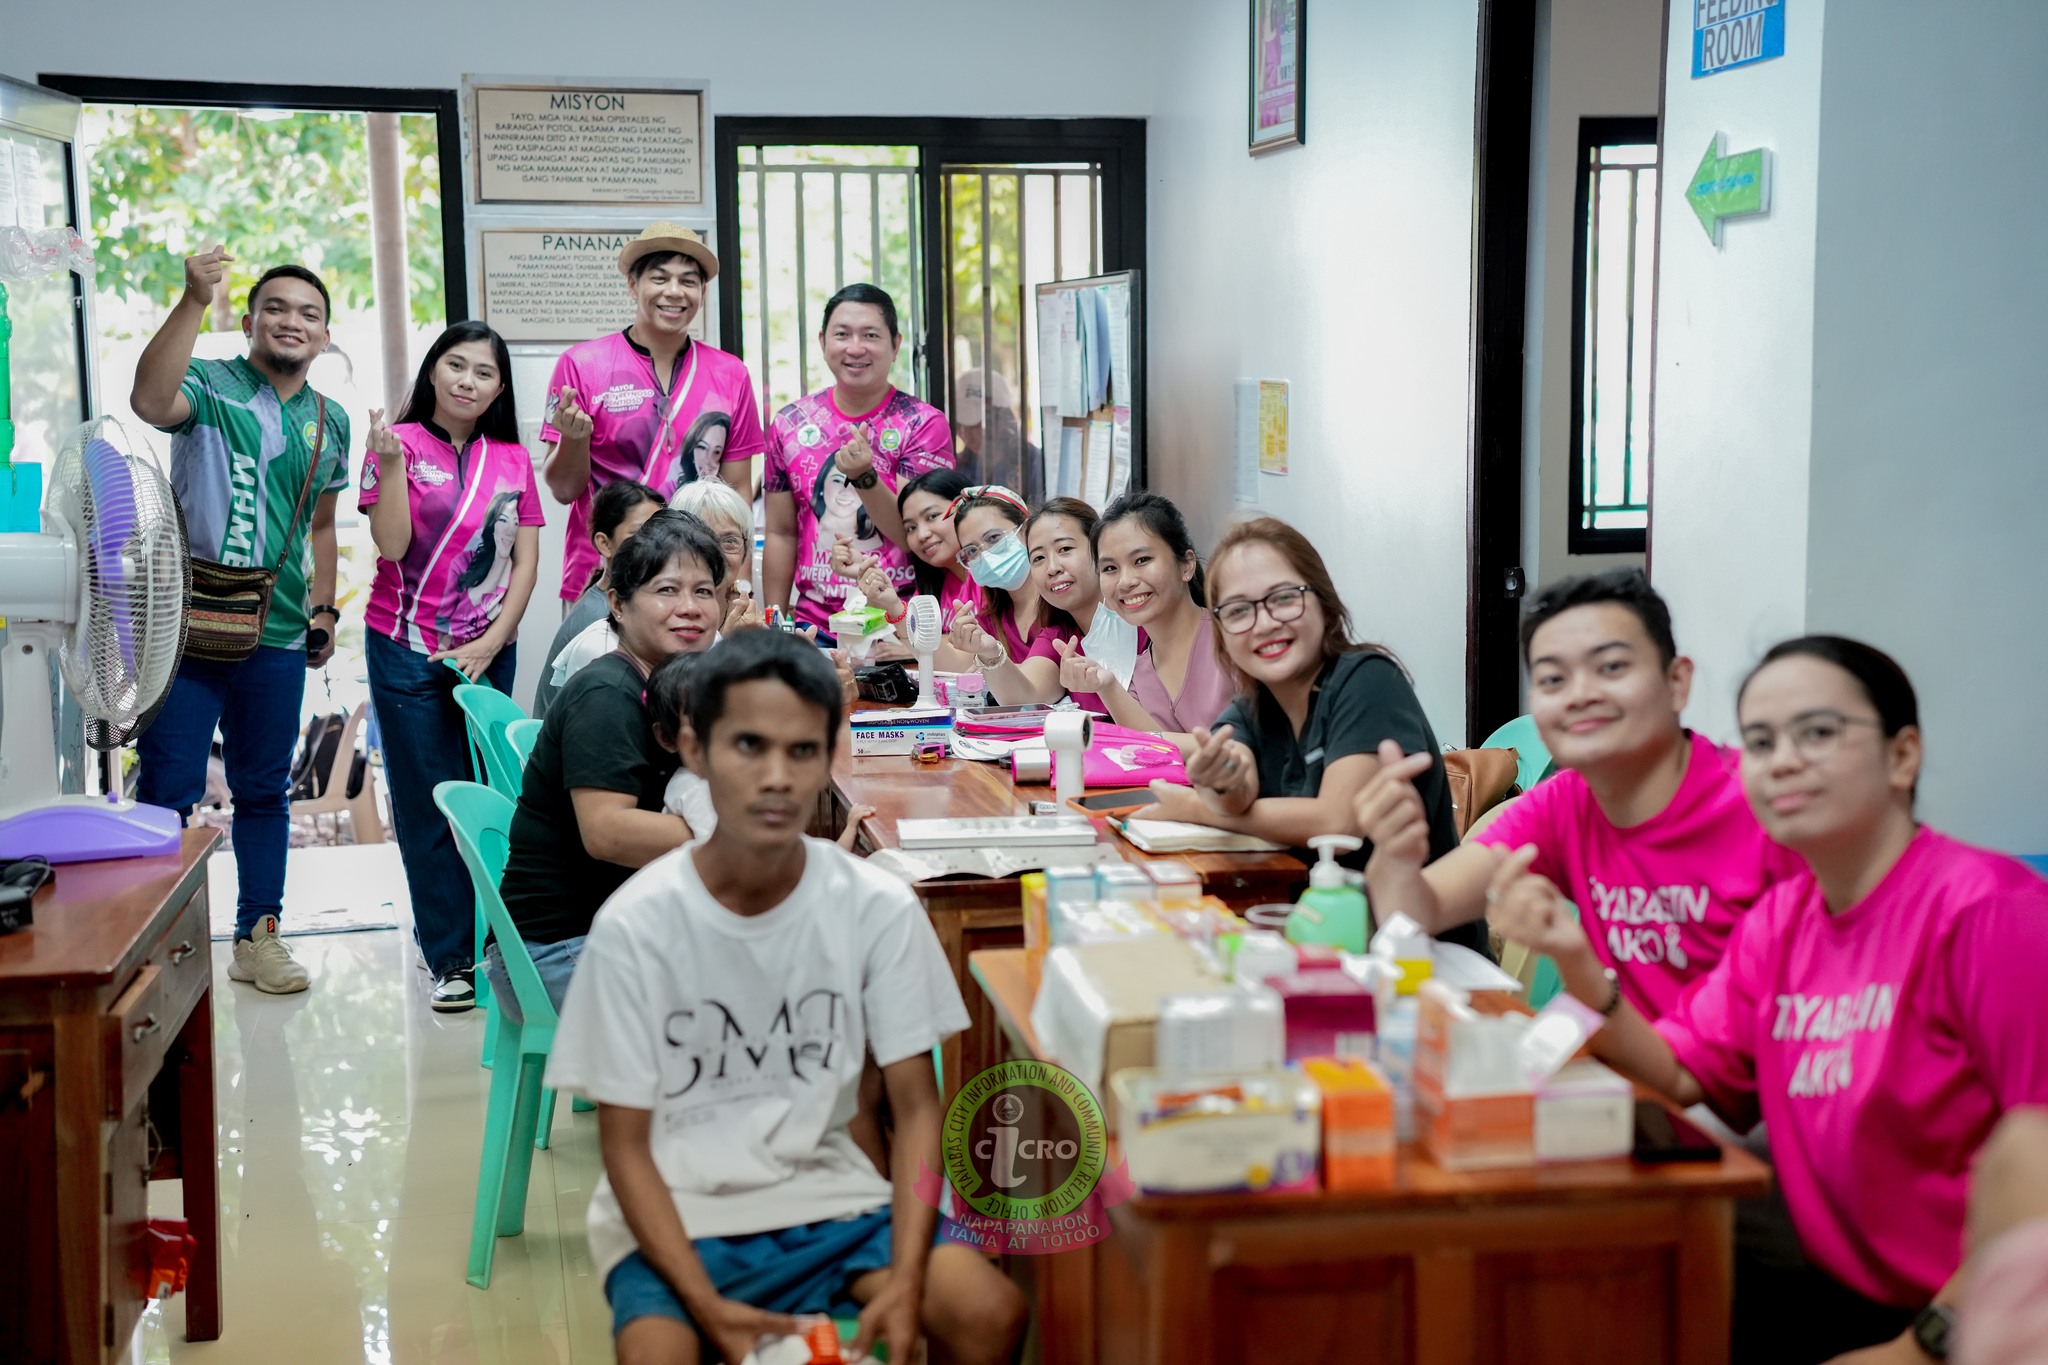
(1646, 830)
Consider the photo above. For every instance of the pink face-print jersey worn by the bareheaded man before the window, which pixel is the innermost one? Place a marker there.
(908, 437)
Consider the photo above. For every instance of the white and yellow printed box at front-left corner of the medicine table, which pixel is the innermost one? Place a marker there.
(1254, 1133)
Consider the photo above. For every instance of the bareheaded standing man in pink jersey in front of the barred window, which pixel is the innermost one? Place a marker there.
(839, 457)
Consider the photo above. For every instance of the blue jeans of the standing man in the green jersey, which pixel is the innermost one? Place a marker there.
(257, 707)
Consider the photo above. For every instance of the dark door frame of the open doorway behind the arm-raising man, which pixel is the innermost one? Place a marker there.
(445, 105)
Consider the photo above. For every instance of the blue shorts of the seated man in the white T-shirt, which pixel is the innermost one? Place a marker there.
(804, 1270)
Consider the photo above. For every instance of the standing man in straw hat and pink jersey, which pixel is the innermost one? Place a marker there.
(650, 402)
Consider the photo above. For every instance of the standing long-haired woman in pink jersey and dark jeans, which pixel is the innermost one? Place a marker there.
(458, 558)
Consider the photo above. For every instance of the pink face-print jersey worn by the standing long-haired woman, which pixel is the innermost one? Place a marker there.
(466, 515)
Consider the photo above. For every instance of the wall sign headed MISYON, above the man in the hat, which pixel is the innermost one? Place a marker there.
(572, 146)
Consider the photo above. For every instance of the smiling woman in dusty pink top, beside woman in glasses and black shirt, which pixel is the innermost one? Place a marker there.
(1154, 580)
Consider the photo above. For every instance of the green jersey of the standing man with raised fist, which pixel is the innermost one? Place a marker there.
(239, 466)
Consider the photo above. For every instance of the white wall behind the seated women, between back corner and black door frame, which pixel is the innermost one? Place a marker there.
(1342, 267)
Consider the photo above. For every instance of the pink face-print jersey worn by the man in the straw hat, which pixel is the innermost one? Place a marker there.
(638, 431)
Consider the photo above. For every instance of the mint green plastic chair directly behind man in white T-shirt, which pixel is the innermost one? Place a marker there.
(519, 1106)
